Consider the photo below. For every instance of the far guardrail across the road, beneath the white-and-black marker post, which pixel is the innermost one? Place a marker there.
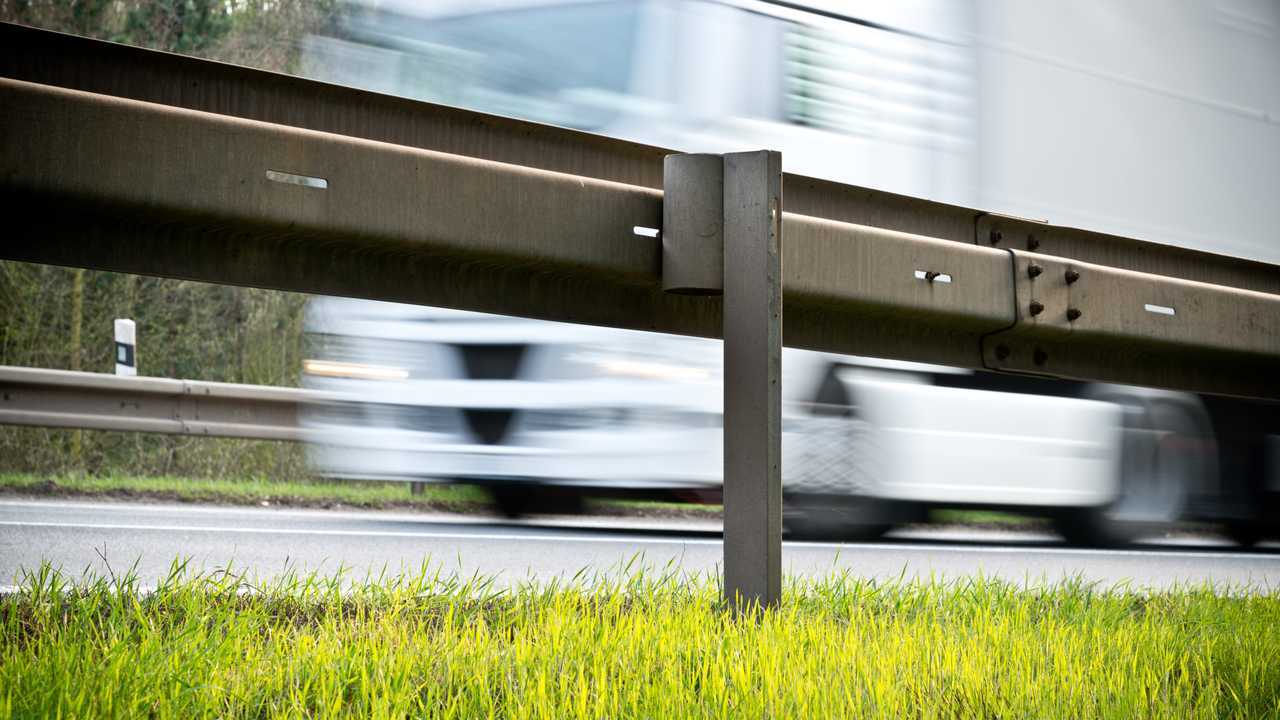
(65, 399)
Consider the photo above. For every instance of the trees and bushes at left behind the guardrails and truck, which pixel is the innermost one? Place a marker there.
(63, 318)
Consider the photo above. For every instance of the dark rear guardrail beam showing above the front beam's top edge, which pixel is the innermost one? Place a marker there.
(177, 81)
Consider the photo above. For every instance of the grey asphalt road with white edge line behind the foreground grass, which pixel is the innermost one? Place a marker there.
(76, 536)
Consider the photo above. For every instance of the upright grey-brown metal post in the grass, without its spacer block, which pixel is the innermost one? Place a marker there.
(753, 379)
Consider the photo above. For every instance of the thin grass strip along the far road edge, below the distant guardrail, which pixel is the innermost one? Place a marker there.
(252, 491)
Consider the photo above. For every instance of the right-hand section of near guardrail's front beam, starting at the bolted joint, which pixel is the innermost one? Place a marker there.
(1080, 321)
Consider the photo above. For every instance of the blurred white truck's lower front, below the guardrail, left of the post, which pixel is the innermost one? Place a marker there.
(454, 397)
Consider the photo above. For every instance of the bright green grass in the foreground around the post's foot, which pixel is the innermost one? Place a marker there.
(629, 645)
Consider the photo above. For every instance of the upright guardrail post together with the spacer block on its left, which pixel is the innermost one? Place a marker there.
(723, 234)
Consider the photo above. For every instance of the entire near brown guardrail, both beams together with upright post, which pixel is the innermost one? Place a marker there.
(131, 161)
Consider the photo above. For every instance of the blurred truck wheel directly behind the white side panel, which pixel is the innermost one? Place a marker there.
(1163, 459)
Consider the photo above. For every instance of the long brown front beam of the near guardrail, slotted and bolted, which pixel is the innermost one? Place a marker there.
(121, 185)
